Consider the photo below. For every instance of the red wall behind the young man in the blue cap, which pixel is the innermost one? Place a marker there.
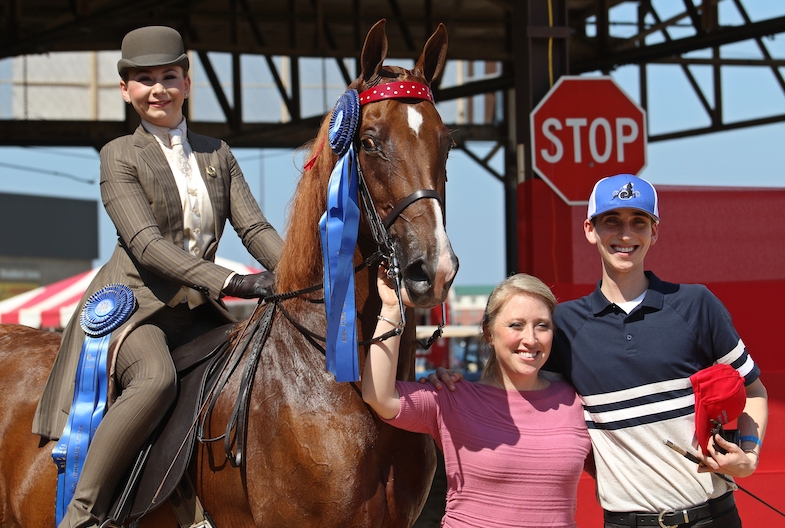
(732, 240)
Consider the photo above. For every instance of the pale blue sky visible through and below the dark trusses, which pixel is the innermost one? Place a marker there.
(746, 157)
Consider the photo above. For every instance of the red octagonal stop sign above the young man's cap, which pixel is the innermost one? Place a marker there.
(586, 128)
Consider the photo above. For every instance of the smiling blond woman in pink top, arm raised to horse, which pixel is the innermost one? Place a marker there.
(514, 443)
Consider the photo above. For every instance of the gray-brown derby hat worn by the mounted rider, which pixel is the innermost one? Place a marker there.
(152, 46)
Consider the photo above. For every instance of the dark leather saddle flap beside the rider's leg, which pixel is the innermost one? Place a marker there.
(163, 461)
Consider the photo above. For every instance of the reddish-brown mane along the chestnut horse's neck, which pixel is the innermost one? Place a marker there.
(301, 259)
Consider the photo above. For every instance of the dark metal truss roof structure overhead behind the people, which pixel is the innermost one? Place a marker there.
(528, 43)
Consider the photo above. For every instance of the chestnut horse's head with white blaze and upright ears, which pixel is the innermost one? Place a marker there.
(403, 148)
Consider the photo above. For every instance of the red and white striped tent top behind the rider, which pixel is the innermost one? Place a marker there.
(53, 305)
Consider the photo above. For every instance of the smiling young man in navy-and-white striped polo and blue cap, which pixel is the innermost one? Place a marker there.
(630, 348)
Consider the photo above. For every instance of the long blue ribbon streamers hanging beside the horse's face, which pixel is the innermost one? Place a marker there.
(338, 228)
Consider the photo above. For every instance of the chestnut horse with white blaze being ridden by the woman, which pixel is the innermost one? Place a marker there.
(315, 455)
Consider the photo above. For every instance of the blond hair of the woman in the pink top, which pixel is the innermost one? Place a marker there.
(518, 284)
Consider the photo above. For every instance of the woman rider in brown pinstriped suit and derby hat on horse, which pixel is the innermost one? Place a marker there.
(169, 193)
